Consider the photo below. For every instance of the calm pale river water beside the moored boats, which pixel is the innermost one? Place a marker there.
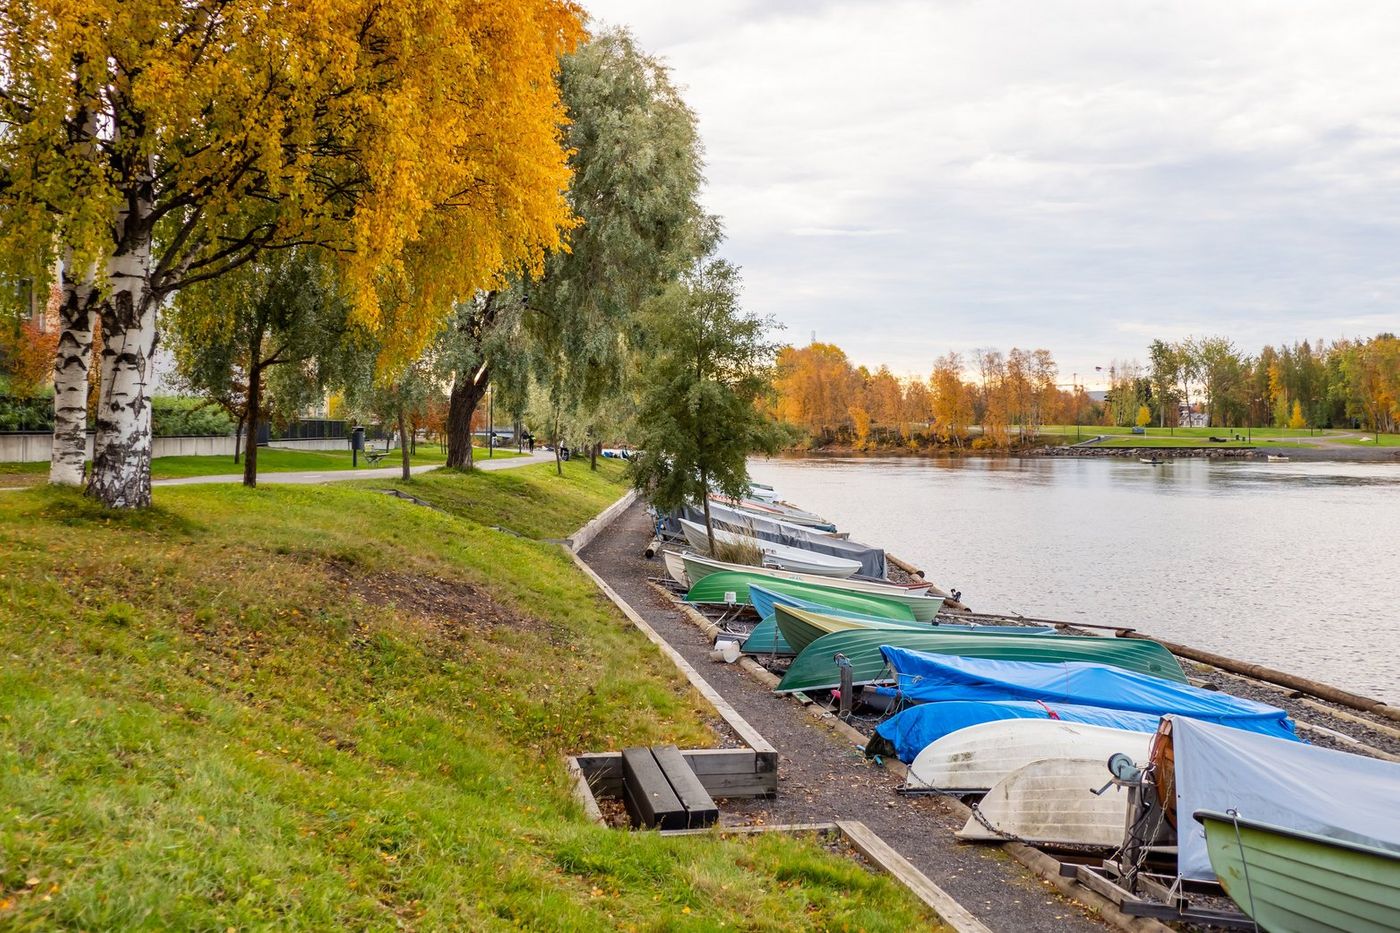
(1291, 565)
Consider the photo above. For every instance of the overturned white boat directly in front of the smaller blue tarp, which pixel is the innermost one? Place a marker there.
(975, 759)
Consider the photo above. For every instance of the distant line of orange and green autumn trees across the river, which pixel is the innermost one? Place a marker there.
(995, 400)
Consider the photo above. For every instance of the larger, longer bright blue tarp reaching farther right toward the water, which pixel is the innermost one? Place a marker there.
(925, 677)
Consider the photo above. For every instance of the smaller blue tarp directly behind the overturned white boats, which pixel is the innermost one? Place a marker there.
(918, 728)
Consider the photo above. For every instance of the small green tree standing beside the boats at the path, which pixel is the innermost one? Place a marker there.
(701, 415)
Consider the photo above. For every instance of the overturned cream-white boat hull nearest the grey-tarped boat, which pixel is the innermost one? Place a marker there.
(1052, 802)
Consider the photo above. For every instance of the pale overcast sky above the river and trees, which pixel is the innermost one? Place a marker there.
(912, 179)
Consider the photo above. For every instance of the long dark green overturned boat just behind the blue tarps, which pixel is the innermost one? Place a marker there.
(815, 668)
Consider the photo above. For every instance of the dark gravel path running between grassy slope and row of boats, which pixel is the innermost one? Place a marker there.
(824, 778)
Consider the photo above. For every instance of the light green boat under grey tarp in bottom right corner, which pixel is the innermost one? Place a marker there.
(1293, 882)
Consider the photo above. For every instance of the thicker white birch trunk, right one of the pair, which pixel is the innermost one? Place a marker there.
(122, 450)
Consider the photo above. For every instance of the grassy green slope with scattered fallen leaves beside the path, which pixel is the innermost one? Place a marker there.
(328, 708)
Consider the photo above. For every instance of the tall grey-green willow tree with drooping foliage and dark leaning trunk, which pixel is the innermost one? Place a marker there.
(636, 162)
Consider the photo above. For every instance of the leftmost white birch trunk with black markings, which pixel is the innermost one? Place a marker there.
(71, 376)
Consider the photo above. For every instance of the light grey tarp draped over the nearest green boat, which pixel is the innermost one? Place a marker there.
(1289, 785)
